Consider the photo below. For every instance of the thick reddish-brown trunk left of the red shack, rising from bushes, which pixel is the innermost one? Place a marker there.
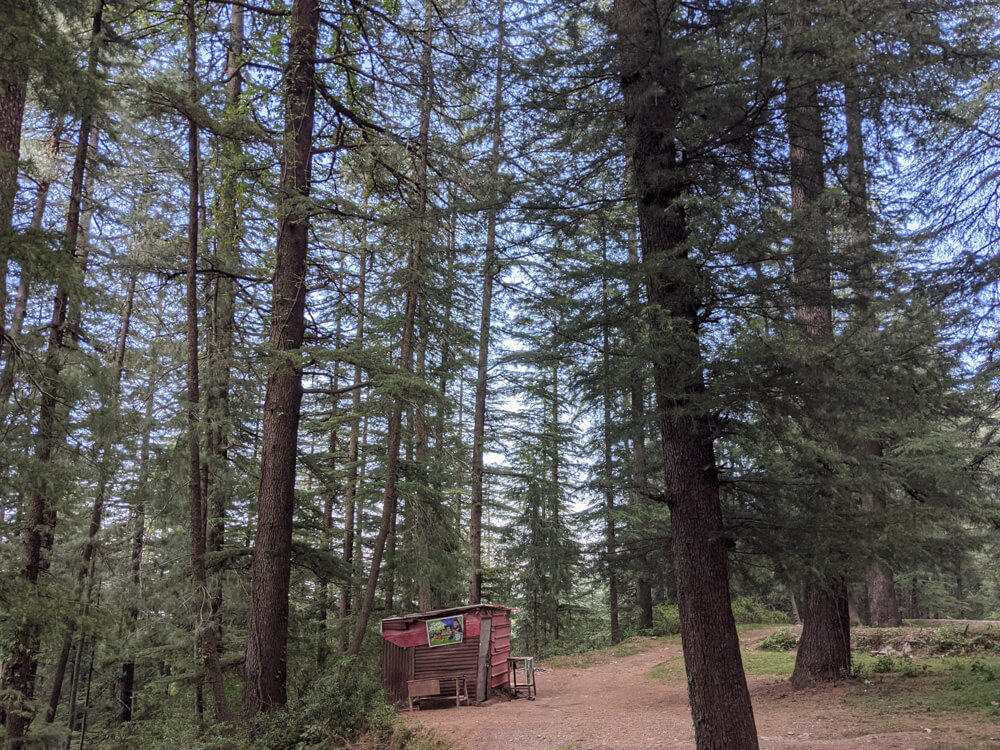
(267, 641)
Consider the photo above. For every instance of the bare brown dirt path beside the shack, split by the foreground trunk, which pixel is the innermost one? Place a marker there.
(616, 704)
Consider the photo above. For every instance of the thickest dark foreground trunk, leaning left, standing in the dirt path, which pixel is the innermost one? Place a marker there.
(652, 85)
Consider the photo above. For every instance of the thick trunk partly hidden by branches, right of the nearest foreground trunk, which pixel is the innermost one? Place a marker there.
(824, 652)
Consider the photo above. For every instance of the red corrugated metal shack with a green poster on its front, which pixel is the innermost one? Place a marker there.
(478, 652)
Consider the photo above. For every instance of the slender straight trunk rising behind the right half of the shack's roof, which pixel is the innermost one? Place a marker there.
(485, 323)
